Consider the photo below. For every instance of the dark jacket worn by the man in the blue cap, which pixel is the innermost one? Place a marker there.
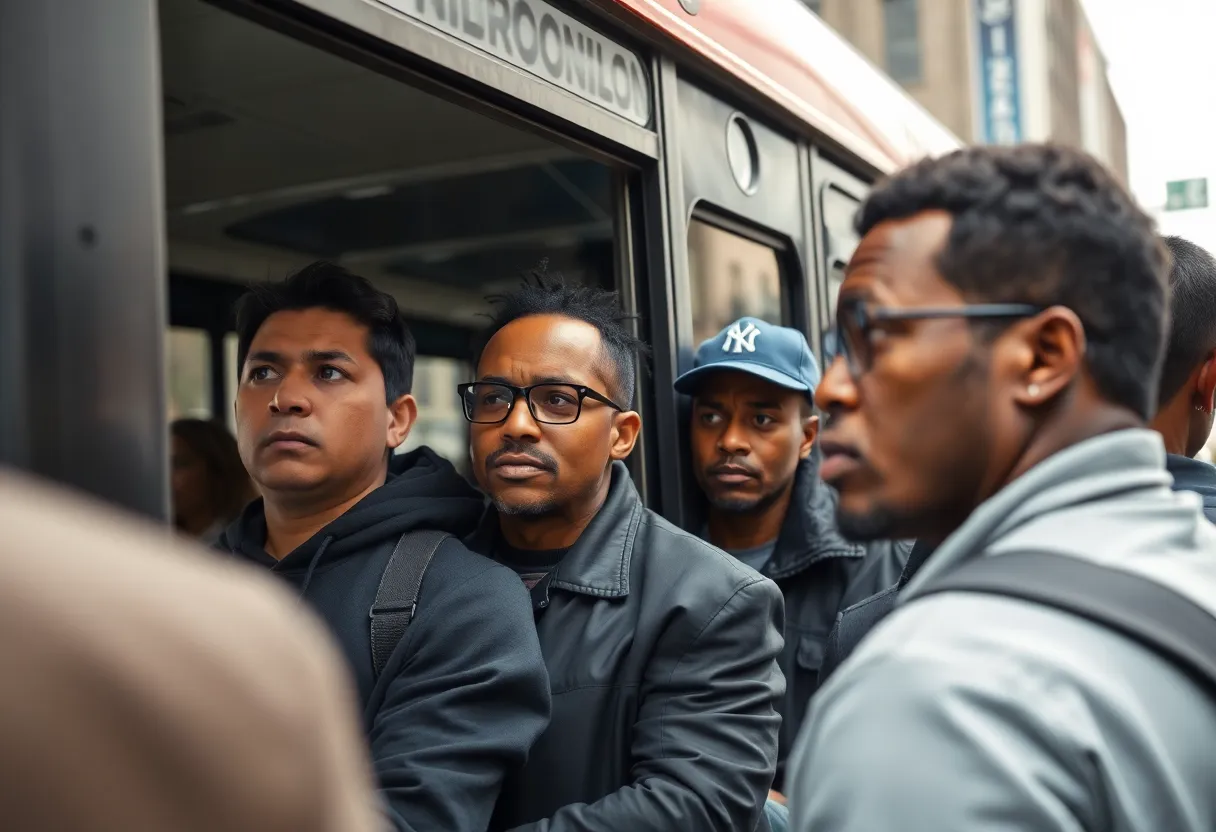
(819, 574)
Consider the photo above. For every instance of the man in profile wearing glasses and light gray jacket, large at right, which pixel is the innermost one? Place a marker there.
(1004, 323)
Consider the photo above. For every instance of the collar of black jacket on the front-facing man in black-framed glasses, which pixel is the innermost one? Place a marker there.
(599, 561)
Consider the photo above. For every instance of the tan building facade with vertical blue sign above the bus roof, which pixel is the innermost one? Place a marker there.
(994, 71)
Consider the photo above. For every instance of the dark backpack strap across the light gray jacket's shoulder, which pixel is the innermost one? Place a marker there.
(1139, 609)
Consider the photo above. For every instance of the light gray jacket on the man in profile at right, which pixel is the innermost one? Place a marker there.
(967, 712)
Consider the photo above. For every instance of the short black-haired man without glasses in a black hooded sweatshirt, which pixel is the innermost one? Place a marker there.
(453, 702)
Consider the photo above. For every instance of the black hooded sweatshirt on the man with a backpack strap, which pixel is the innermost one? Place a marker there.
(466, 693)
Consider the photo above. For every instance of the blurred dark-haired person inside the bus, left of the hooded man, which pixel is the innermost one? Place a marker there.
(210, 482)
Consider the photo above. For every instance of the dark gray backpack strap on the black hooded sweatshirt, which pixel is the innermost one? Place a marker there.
(397, 597)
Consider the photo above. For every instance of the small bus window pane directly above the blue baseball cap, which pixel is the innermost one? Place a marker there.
(730, 277)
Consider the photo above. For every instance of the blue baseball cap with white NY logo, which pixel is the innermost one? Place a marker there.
(779, 355)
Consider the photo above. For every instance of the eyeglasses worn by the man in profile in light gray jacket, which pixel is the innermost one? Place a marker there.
(851, 339)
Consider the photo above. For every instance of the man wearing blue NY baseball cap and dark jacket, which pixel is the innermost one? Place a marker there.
(753, 449)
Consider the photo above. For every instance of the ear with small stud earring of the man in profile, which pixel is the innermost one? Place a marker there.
(1049, 353)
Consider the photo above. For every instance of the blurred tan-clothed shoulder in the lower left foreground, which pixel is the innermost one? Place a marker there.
(145, 693)
